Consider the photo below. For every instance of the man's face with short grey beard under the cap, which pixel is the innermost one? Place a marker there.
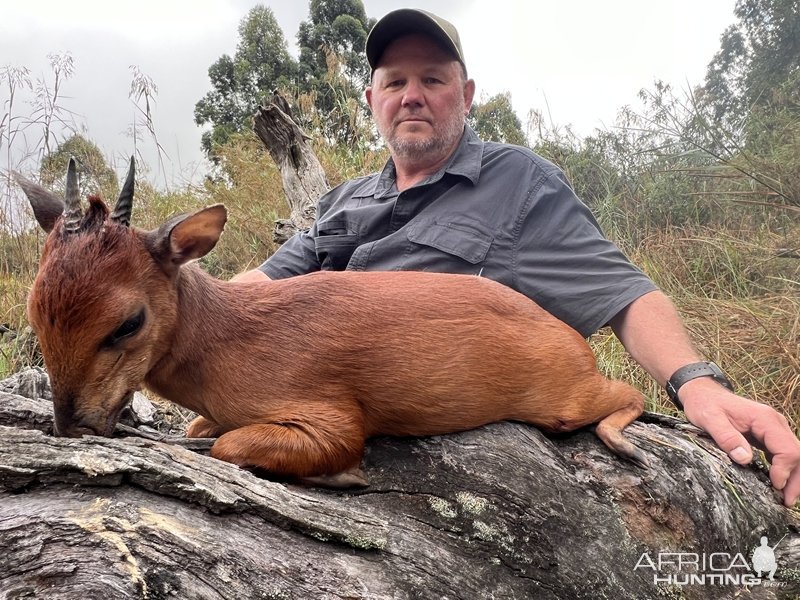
(419, 99)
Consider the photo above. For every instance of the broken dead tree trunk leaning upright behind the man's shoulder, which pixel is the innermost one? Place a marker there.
(303, 178)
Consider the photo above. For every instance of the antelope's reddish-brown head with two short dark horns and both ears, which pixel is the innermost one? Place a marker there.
(104, 301)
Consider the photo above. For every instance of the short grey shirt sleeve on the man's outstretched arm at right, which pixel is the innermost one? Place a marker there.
(566, 264)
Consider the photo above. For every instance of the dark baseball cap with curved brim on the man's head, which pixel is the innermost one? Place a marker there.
(411, 20)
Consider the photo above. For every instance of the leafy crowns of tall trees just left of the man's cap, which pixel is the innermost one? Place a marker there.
(331, 72)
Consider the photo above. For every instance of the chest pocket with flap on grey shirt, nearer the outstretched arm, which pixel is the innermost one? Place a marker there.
(467, 241)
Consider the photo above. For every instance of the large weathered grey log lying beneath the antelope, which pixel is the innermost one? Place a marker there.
(499, 512)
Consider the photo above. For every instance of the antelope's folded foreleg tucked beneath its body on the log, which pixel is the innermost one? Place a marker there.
(325, 449)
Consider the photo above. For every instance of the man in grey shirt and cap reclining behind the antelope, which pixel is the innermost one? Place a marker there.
(446, 201)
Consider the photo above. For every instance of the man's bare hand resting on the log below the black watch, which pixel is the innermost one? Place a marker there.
(736, 423)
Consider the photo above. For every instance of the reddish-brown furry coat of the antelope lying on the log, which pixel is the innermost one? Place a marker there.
(294, 375)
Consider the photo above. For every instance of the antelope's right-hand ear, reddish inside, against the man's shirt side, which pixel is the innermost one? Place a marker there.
(188, 236)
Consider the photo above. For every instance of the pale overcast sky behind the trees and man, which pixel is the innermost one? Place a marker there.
(577, 61)
